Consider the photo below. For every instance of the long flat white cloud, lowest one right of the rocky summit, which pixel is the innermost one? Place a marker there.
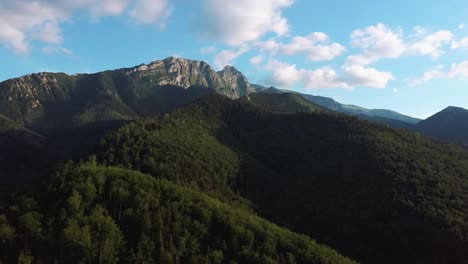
(283, 74)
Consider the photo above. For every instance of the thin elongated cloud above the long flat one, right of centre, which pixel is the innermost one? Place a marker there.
(316, 46)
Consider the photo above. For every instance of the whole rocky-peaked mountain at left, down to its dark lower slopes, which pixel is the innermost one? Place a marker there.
(72, 112)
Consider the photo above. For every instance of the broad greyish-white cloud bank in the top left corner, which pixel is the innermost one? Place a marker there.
(27, 20)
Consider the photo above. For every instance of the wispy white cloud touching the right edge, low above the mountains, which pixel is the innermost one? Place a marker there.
(456, 71)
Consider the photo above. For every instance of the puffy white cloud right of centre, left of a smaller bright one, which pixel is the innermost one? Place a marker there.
(377, 42)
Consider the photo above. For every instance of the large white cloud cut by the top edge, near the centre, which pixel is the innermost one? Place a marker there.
(241, 21)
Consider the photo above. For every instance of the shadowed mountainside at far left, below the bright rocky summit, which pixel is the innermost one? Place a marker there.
(49, 115)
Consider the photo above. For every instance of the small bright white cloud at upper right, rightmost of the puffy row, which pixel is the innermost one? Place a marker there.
(431, 45)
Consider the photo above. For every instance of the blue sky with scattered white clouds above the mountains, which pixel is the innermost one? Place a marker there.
(408, 56)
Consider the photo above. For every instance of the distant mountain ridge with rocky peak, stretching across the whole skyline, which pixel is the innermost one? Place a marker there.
(55, 102)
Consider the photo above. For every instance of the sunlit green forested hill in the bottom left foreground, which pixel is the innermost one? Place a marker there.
(92, 214)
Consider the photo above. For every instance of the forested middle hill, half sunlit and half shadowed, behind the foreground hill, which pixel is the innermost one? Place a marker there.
(376, 194)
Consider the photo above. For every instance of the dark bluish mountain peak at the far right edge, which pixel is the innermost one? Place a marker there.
(449, 125)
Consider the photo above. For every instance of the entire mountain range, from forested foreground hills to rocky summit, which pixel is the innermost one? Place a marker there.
(173, 162)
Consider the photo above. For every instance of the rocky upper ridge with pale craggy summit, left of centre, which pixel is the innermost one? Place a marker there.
(52, 99)
